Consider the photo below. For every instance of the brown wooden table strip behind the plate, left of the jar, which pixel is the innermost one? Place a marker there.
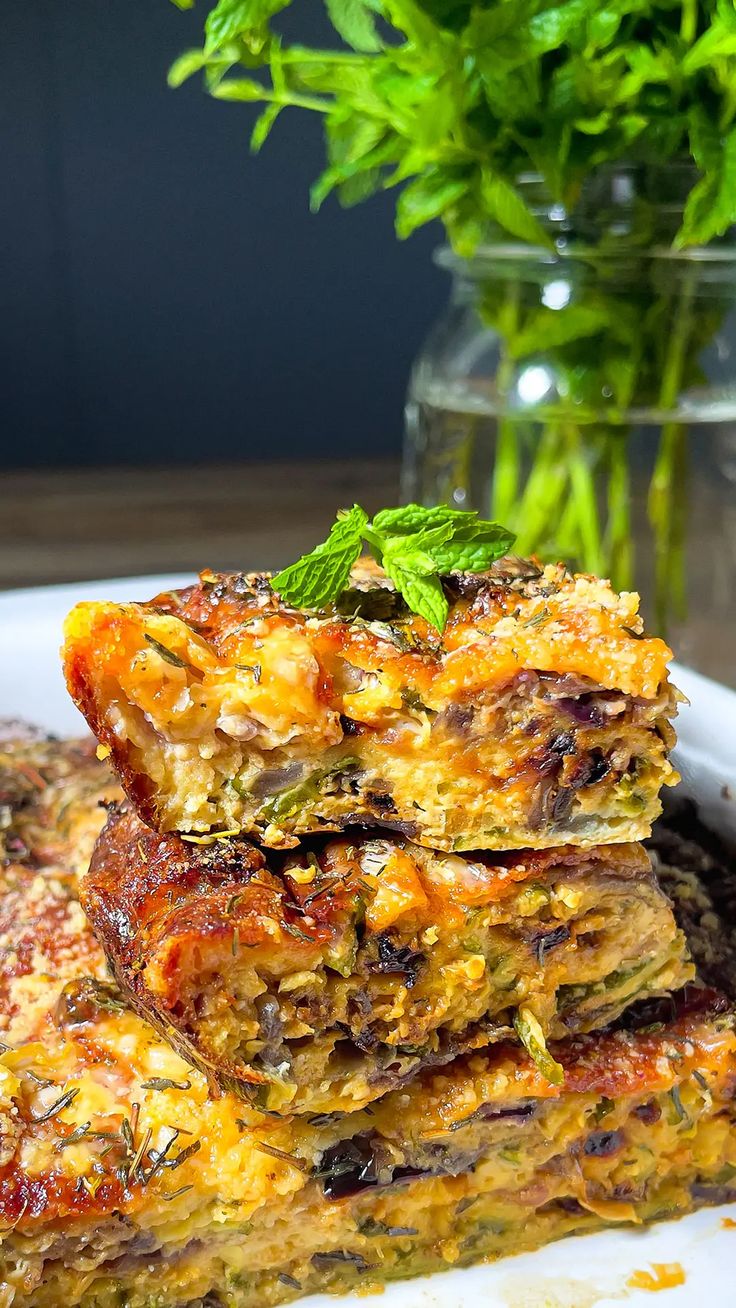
(120, 523)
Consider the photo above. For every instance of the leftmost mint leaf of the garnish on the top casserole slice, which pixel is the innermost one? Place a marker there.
(318, 577)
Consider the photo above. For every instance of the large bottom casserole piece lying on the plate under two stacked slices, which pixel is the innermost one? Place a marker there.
(124, 1180)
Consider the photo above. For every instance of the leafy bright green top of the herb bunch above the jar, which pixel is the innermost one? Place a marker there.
(456, 101)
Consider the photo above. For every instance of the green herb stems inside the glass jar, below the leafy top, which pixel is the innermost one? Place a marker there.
(567, 473)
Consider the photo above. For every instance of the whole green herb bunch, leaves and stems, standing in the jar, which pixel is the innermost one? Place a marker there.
(457, 105)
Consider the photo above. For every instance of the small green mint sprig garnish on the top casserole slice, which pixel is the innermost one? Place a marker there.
(415, 546)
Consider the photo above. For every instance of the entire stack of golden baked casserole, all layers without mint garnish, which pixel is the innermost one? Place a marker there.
(381, 895)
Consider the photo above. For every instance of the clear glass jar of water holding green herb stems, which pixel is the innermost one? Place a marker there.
(586, 397)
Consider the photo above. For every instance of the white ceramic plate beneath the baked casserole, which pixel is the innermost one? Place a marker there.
(588, 1272)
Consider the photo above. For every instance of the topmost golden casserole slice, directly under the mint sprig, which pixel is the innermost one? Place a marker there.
(541, 717)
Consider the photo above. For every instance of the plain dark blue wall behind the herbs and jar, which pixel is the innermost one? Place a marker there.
(165, 295)
